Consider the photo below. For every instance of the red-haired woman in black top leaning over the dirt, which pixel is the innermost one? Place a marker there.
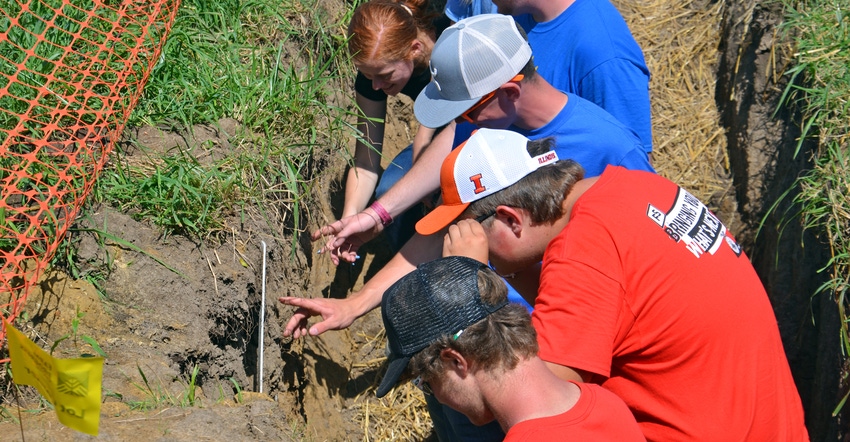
(390, 42)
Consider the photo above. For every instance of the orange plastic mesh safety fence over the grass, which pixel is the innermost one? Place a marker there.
(70, 73)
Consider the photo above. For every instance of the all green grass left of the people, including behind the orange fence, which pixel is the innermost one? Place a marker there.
(270, 65)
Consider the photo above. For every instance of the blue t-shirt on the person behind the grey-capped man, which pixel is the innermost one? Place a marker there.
(588, 50)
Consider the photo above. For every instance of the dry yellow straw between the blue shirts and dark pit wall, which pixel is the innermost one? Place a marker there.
(680, 41)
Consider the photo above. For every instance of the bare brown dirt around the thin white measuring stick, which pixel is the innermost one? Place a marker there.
(173, 305)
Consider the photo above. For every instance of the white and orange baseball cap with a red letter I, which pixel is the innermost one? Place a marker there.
(489, 161)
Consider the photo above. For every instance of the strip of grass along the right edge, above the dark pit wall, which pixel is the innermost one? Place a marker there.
(822, 34)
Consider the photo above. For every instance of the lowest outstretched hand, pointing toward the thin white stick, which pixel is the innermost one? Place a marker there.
(336, 314)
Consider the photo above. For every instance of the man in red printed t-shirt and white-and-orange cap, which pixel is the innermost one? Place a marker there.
(642, 289)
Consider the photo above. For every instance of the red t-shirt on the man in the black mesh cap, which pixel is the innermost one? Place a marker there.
(599, 415)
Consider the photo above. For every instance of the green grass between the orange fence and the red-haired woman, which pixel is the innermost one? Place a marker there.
(252, 62)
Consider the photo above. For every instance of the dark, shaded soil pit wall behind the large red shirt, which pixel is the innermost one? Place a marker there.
(762, 138)
